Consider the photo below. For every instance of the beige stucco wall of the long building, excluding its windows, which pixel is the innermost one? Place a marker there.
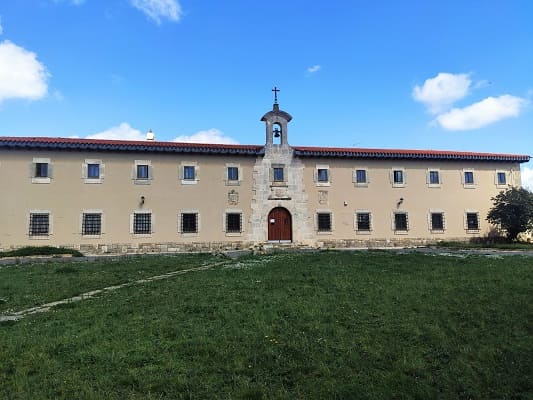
(66, 196)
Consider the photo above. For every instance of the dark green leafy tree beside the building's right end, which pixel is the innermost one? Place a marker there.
(512, 211)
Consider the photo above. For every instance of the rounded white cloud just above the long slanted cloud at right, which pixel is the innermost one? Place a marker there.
(440, 92)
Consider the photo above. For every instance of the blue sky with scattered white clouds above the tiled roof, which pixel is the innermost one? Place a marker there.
(453, 75)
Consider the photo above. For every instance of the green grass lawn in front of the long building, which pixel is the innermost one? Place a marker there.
(327, 325)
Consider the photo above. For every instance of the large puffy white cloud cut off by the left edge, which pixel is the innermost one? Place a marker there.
(21, 74)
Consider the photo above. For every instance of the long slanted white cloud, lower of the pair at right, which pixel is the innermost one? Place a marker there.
(485, 112)
